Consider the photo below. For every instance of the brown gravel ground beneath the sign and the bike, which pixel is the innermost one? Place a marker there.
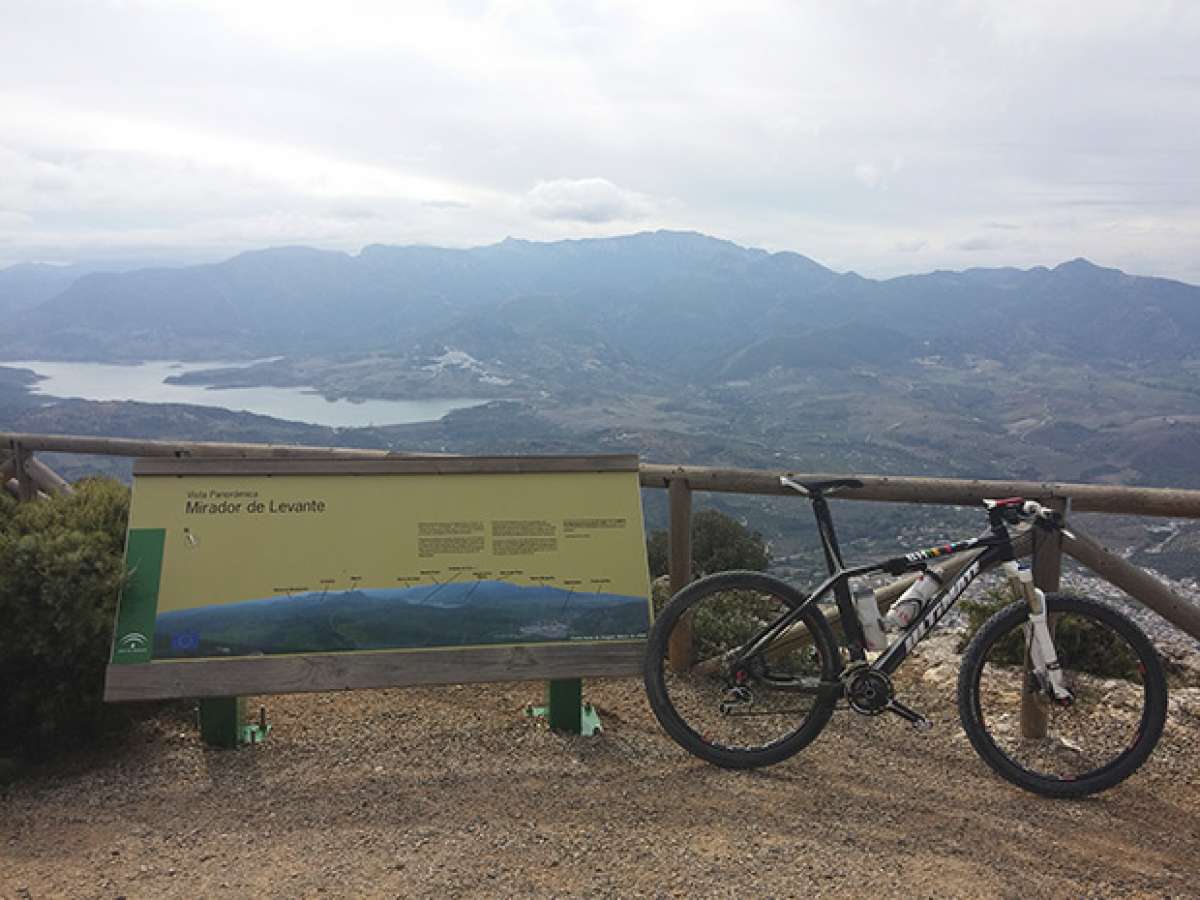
(454, 793)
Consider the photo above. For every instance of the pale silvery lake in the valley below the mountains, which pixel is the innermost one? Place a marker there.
(146, 383)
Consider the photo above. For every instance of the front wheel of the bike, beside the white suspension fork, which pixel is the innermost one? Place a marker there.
(1108, 731)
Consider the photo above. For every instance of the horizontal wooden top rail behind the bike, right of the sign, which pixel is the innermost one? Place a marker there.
(944, 491)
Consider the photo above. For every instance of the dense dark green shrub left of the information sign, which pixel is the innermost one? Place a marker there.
(62, 567)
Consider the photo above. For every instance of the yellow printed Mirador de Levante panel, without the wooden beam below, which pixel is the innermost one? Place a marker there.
(255, 565)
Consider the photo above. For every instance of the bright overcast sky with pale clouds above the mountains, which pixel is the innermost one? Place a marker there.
(884, 137)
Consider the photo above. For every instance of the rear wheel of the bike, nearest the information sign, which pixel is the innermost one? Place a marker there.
(761, 712)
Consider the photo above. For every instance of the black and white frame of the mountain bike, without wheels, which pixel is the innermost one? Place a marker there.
(997, 547)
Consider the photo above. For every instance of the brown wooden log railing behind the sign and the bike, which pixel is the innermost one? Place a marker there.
(27, 477)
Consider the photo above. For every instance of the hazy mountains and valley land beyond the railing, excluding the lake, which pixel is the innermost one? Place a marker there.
(680, 347)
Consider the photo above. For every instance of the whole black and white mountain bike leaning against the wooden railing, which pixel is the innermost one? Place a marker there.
(1061, 695)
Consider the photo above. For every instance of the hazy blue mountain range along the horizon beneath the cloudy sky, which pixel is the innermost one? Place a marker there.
(676, 303)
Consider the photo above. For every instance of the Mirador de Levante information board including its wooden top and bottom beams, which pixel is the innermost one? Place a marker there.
(517, 567)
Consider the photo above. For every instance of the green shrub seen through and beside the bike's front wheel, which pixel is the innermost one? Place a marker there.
(1082, 644)
